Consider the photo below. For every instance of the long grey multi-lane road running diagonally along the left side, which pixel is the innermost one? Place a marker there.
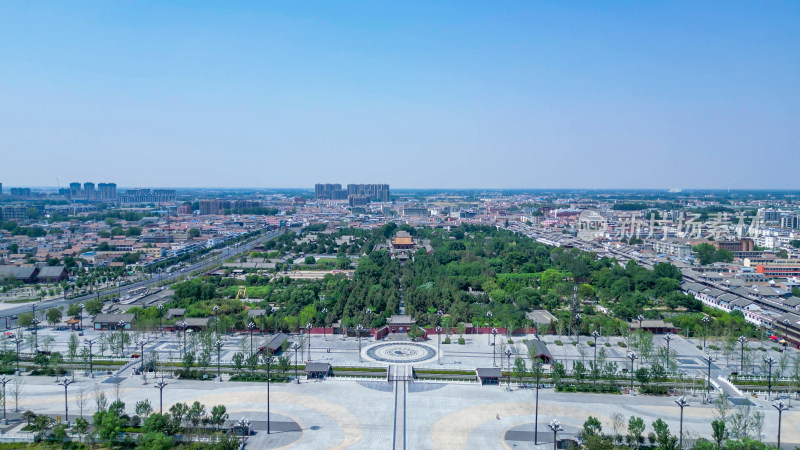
(205, 263)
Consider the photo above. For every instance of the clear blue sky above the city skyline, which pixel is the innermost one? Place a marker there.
(414, 94)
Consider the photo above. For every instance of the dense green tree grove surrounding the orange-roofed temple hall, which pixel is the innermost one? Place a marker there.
(471, 271)
